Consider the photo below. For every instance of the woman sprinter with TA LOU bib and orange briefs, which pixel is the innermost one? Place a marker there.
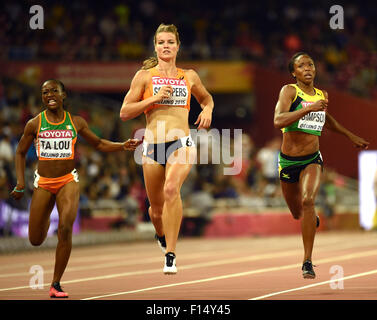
(54, 132)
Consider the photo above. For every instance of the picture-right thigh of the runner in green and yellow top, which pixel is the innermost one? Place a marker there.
(310, 180)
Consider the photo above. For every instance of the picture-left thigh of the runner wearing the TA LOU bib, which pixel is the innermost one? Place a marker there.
(42, 203)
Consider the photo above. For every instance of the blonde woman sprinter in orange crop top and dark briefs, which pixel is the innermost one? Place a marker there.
(162, 92)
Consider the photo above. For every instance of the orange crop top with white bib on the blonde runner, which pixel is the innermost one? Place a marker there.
(181, 90)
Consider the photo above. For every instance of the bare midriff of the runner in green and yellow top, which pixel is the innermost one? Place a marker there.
(298, 144)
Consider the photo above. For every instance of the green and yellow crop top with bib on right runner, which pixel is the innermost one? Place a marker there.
(312, 122)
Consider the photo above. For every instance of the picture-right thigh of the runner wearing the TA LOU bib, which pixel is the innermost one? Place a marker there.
(67, 202)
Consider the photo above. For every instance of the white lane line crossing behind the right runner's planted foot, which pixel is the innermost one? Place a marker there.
(240, 274)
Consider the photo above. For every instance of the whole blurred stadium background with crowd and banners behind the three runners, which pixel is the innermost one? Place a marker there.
(241, 50)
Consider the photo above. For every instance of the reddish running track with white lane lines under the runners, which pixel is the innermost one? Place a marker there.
(259, 268)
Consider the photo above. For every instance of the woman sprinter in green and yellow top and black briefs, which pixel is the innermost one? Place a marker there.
(301, 114)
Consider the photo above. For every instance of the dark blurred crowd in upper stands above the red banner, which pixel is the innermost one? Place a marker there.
(268, 32)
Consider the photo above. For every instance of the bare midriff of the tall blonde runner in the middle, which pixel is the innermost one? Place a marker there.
(166, 124)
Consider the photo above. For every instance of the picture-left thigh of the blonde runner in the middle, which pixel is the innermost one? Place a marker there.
(154, 179)
